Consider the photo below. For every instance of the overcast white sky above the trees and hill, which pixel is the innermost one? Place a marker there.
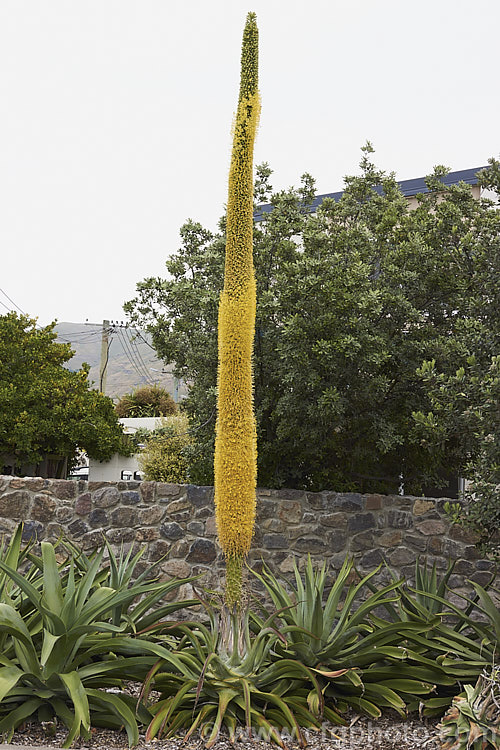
(116, 118)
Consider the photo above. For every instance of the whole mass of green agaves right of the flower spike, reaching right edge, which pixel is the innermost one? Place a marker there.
(414, 659)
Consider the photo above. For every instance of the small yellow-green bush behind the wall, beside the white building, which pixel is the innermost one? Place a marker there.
(164, 457)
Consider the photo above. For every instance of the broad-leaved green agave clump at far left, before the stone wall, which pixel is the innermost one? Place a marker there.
(67, 638)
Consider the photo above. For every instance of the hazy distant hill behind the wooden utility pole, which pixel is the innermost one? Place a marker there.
(132, 361)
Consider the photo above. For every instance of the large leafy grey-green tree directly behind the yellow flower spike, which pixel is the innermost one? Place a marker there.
(351, 301)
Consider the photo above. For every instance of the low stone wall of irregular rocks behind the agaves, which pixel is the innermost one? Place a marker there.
(176, 522)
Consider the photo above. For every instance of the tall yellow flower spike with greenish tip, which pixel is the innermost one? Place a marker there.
(235, 440)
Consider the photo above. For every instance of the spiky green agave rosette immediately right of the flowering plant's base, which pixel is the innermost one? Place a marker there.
(336, 629)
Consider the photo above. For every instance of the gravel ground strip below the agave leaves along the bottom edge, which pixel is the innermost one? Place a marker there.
(388, 733)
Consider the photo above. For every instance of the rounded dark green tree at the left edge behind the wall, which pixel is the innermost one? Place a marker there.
(44, 407)
